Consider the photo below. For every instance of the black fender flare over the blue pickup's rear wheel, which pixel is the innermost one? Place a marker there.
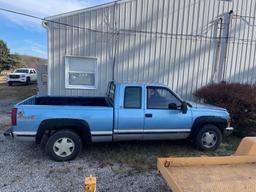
(79, 126)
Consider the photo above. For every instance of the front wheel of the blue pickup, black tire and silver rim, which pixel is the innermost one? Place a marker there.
(213, 141)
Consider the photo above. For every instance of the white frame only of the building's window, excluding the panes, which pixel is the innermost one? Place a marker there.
(67, 85)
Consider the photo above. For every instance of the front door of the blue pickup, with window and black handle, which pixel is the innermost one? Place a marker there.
(162, 122)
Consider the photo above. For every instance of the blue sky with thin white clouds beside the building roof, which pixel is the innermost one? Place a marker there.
(25, 35)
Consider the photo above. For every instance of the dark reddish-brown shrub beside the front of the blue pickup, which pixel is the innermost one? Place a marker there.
(238, 99)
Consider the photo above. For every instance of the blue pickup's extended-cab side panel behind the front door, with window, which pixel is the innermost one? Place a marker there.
(130, 114)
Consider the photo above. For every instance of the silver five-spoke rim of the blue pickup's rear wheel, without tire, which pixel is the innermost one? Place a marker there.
(63, 147)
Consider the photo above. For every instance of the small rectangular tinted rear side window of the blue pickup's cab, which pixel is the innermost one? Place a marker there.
(132, 98)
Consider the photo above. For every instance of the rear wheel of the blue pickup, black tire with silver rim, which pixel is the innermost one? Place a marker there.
(57, 138)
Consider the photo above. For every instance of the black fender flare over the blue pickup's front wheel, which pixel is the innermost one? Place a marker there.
(220, 122)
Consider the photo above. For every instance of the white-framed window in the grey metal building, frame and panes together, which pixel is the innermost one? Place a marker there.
(80, 72)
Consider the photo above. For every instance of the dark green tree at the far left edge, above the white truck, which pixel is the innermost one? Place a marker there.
(4, 56)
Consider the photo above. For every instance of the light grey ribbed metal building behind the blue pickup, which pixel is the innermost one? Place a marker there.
(185, 44)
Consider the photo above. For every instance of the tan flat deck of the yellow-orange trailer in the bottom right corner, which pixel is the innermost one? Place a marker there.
(214, 178)
